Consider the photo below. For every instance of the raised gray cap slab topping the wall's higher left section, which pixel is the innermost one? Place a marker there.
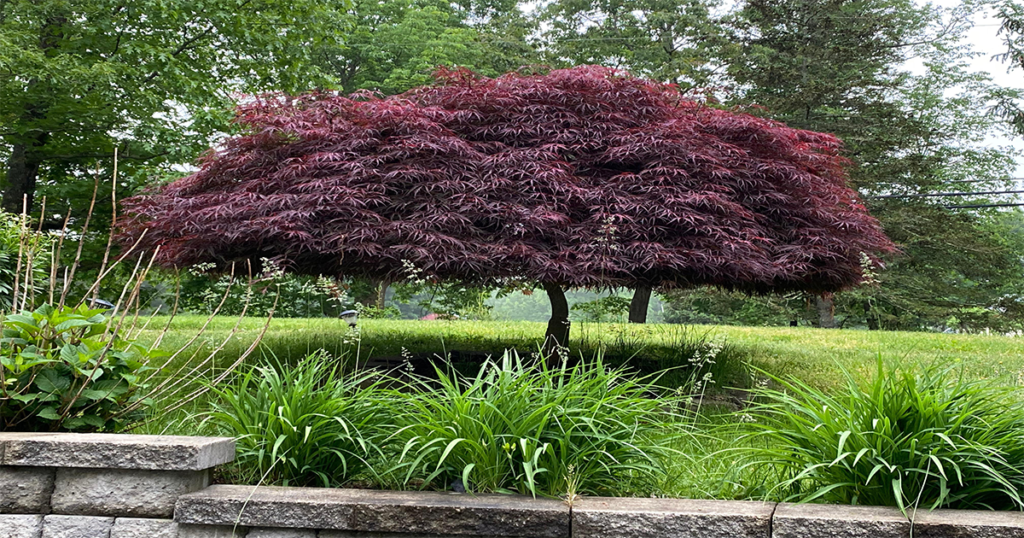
(115, 451)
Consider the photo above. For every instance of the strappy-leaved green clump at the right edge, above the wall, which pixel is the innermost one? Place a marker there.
(931, 440)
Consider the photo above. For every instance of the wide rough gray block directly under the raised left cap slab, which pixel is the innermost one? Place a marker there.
(119, 492)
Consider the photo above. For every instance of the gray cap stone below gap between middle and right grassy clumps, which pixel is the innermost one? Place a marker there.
(634, 518)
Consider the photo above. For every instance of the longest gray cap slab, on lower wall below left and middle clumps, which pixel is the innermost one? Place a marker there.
(373, 511)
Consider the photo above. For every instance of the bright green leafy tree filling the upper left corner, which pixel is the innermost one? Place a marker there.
(155, 79)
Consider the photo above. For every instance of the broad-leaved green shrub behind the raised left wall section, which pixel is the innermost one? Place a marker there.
(65, 368)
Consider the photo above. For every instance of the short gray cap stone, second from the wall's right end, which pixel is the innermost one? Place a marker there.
(820, 521)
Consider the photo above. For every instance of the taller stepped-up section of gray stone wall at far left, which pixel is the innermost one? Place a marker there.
(101, 486)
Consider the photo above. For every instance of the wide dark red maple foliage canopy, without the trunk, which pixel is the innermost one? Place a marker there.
(581, 178)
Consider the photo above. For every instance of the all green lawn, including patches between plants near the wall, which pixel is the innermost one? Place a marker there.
(705, 468)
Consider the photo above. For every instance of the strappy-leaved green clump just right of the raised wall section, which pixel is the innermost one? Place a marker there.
(305, 425)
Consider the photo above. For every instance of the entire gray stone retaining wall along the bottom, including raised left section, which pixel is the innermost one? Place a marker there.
(100, 486)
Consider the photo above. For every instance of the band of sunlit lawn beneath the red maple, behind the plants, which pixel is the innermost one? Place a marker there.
(815, 356)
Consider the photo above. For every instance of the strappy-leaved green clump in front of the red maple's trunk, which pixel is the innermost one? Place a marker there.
(525, 428)
